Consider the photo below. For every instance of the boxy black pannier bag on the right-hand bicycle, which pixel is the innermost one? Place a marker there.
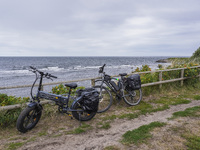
(133, 82)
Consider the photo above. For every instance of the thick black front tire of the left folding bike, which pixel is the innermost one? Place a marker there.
(23, 115)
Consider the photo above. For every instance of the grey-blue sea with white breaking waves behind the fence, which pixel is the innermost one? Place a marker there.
(14, 71)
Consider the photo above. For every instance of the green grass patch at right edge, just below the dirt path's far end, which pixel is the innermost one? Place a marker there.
(189, 112)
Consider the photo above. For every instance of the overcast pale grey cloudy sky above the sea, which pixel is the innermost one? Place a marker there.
(99, 27)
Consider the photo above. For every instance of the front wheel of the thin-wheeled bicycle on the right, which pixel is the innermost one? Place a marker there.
(105, 100)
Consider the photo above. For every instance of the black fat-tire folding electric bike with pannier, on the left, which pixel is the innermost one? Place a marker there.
(30, 116)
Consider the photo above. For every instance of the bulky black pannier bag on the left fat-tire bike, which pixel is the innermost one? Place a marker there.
(90, 99)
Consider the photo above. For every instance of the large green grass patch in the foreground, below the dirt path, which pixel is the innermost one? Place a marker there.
(141, 134)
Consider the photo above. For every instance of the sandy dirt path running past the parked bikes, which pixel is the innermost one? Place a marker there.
(98, 139)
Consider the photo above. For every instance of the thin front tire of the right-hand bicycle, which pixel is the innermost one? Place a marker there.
(100, 110)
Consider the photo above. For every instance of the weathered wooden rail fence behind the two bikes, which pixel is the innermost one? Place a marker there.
(160, 82)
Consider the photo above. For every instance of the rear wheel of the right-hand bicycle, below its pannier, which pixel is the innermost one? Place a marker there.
(132, 97)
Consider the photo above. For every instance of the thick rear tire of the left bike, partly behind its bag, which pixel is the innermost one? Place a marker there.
(77, 106)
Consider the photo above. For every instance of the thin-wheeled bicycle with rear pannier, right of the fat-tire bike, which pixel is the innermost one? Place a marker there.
(127, 88)
